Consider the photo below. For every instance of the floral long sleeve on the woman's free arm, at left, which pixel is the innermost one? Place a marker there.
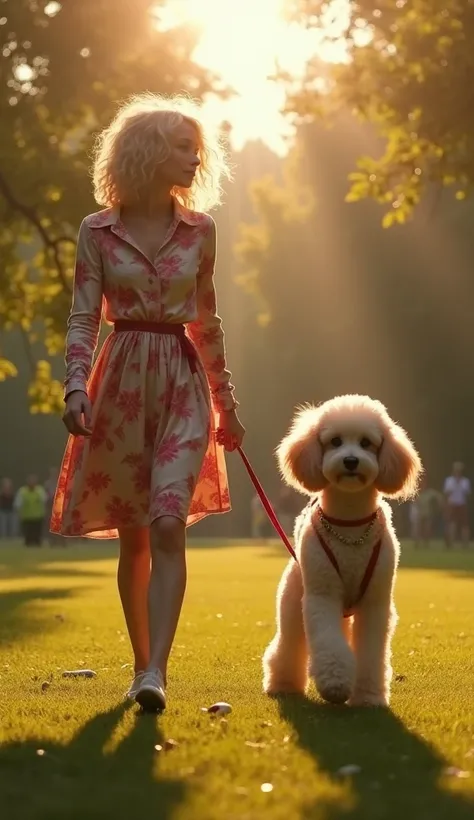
(84, 318)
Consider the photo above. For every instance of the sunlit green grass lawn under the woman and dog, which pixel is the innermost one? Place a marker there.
(59, 610)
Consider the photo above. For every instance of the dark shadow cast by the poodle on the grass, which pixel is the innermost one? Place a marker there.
(399, 772)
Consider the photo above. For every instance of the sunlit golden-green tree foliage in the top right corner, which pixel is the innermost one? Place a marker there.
(408, 71)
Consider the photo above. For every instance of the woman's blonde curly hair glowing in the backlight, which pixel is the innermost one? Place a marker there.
(129, 150)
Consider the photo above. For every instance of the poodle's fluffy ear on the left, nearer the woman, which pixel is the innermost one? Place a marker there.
(300, 453)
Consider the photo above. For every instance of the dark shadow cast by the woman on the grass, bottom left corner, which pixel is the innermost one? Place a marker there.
(86, 779)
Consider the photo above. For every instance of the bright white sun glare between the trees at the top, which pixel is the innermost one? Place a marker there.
(244, 42)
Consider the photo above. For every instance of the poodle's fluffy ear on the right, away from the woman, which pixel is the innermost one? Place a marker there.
(400, 466)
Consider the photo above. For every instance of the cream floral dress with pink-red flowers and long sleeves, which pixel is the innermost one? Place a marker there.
(152, 451)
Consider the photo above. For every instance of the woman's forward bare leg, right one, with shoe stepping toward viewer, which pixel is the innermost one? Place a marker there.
(167, 587)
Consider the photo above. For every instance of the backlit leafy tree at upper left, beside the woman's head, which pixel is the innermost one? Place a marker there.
(63, 67)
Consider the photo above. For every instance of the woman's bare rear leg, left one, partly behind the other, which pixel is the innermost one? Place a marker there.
(133, 578)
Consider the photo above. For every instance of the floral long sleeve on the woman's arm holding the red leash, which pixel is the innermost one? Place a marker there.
(206, 332)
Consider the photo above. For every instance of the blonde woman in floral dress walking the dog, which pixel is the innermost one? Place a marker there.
(144, 458)
